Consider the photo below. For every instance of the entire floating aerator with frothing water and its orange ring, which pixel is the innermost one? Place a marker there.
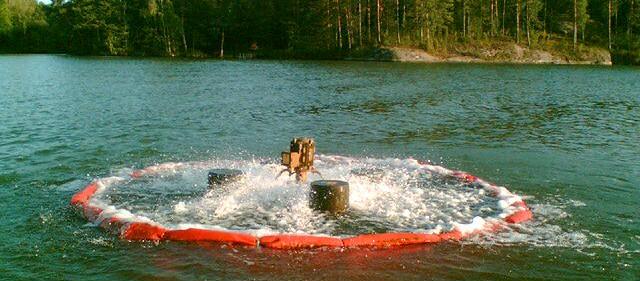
(381, 202)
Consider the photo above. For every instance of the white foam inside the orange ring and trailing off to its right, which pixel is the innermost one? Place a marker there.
(403, 197)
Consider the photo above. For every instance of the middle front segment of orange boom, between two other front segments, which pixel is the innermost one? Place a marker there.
(292, 241)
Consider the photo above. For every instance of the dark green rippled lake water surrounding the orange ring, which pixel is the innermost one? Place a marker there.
(567, 138)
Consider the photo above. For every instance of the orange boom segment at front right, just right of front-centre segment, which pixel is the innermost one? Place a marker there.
(390, 239)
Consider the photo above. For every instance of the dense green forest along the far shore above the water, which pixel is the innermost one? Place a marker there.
(312, 28)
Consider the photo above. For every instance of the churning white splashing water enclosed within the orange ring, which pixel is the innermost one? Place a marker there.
(385, 195)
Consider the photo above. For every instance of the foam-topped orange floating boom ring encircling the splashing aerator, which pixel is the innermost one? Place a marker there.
(132, 227)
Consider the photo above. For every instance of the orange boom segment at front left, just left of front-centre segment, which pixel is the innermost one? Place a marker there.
(194, 234)
